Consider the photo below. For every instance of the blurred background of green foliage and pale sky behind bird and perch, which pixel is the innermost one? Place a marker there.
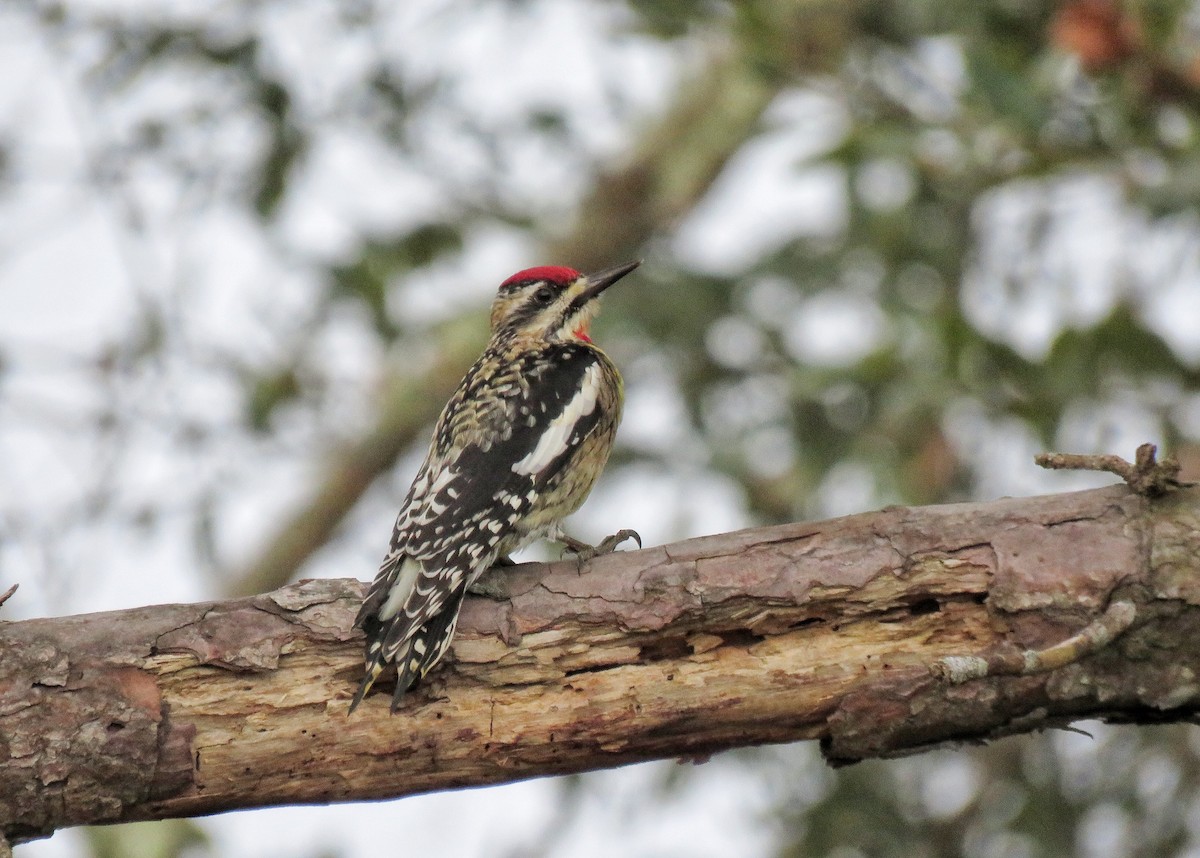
(892, 251)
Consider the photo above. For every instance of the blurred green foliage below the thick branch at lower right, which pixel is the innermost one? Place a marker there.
(1121, 793)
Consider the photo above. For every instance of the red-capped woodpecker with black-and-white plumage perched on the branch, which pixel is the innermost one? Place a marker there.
(517, 451)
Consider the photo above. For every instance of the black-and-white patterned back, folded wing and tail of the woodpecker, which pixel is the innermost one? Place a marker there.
(473, 491)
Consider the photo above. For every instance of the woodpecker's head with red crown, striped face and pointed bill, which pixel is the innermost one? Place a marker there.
(553, 303)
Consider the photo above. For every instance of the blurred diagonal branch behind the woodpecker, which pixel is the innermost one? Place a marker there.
(669, 172)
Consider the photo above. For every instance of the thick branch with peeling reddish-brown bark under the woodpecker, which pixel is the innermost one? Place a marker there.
(826, 631)
